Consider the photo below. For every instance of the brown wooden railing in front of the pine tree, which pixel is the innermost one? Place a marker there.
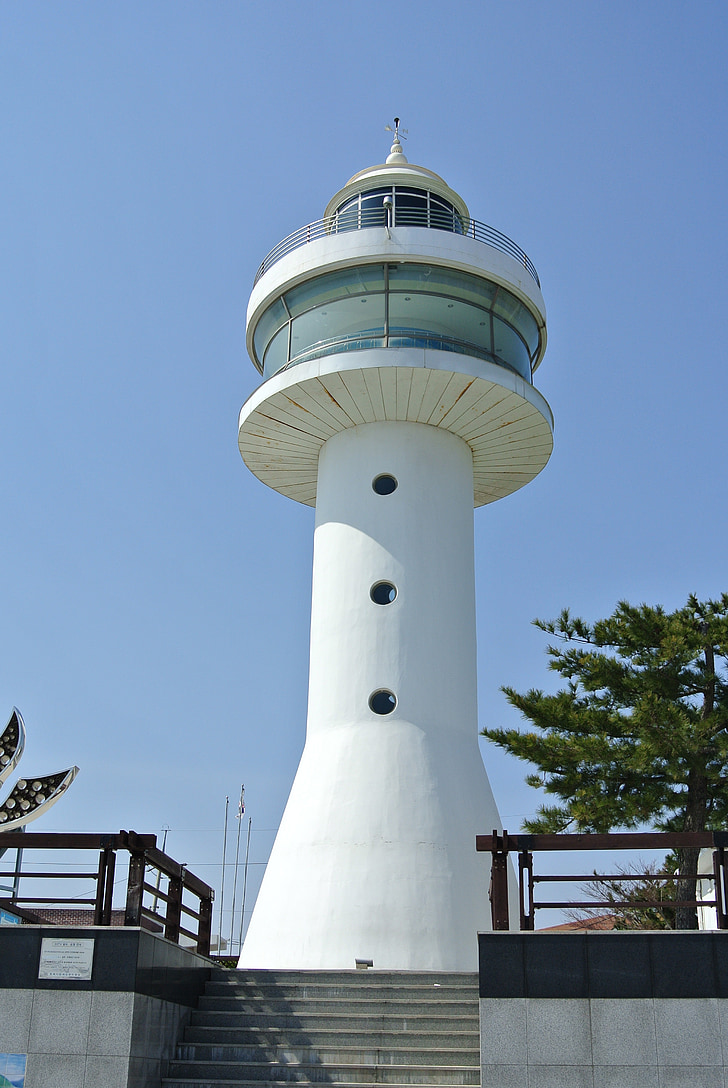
(500, 846)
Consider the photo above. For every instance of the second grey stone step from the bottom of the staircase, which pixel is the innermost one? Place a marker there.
(312, 1055)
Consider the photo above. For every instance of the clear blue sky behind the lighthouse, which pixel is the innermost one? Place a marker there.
(155, 596)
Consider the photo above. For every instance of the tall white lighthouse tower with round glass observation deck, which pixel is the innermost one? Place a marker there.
(398, 339)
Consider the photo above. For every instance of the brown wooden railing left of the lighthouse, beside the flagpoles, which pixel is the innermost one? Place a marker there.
(144, 858)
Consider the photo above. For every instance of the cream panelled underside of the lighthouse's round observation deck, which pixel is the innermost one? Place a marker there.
(511, 438)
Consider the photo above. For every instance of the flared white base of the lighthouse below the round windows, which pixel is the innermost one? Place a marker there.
(400, 885)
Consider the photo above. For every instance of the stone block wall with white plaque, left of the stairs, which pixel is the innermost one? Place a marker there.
(117, 1031)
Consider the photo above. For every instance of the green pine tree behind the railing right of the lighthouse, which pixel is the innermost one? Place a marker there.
(639, 736)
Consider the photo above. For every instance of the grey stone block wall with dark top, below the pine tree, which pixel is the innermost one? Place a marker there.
(604, 1010)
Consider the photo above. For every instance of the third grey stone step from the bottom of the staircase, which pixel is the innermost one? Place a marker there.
(275, 1037)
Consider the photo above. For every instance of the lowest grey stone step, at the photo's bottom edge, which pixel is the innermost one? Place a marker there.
(281, 1072)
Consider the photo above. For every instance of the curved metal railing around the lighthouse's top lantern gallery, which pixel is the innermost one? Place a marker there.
(329, 227)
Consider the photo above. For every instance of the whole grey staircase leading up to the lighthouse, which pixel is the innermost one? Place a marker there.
(346, 1029)
